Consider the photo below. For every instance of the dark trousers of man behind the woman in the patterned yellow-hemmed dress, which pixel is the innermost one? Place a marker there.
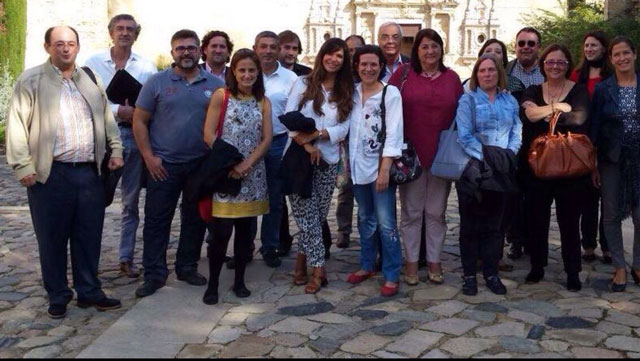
(270, 228)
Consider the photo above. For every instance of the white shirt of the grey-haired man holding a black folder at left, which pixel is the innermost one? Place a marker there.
(140, 68)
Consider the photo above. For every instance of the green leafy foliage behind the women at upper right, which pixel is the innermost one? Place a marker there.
(569, 27)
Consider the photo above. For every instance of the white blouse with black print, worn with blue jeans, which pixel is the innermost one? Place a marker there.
(364, 133)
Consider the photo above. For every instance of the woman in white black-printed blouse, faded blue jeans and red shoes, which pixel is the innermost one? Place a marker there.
(375, 140)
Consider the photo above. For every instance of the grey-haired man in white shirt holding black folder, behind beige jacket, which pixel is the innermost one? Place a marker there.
(124, 31)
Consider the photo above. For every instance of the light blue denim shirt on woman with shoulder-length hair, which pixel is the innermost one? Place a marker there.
(497, 123)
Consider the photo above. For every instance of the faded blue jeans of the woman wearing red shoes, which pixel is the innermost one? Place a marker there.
(377, 210)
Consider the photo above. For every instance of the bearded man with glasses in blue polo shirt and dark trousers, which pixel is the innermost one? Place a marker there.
(171, 146)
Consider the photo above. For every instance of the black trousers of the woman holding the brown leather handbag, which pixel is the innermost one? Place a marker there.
(569, 195)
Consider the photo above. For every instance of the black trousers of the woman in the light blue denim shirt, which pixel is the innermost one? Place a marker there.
(481, 230)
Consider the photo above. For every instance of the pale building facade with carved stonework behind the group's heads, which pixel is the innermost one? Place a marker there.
(463, 24)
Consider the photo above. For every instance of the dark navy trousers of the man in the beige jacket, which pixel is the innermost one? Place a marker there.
(69, 209)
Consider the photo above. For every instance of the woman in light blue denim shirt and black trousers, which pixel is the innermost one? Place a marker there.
(488, 122)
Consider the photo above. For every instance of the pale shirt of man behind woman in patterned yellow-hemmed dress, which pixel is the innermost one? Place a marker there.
(277, 86)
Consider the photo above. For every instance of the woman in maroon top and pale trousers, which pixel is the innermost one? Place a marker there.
(430, 93)
